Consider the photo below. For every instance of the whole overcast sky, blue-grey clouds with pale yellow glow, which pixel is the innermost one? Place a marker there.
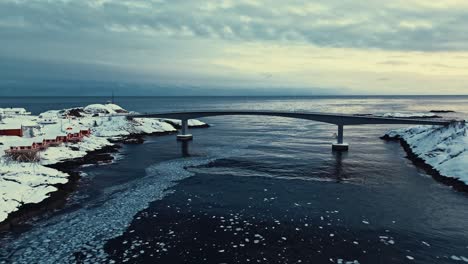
(327, 46)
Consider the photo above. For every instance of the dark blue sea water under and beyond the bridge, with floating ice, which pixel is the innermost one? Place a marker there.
(256, 190)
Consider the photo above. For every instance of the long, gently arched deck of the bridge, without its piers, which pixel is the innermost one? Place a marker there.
(337, 119)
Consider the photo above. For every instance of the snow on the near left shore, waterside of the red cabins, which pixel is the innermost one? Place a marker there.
(23, 183)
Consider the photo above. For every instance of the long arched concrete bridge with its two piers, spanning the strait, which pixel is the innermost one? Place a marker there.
(340, 120)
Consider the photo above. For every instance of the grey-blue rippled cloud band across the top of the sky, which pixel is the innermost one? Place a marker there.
(332, 23)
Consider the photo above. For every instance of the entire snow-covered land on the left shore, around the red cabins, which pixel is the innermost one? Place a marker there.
(25, 183)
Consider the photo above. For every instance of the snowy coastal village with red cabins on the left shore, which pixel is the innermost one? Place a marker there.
(25, 136)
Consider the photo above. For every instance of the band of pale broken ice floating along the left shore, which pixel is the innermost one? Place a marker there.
(92, 226)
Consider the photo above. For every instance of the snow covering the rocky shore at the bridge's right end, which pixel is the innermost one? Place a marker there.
(443, 148)
